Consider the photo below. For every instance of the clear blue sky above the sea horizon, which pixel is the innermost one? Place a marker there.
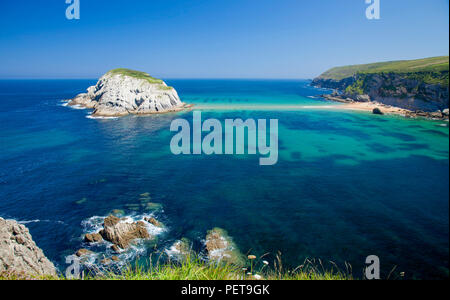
(214, 38)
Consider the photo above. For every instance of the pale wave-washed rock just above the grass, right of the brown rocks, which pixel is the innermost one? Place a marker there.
(221, 248)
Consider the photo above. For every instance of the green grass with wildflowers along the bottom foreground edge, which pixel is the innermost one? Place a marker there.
(197, 269)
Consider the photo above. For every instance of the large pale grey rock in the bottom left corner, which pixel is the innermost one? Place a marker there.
(19, 253)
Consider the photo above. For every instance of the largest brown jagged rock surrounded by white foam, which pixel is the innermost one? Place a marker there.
(122, 233)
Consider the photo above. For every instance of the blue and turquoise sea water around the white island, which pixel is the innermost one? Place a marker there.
(346, 185)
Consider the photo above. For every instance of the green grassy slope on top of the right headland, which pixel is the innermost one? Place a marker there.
(434, 69)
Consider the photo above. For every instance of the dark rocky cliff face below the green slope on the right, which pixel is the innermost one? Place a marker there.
(406, 91)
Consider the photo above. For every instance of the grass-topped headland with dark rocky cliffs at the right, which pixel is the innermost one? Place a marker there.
(414, 85)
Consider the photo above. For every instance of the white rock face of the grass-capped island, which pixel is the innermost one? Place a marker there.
(118, 94)
